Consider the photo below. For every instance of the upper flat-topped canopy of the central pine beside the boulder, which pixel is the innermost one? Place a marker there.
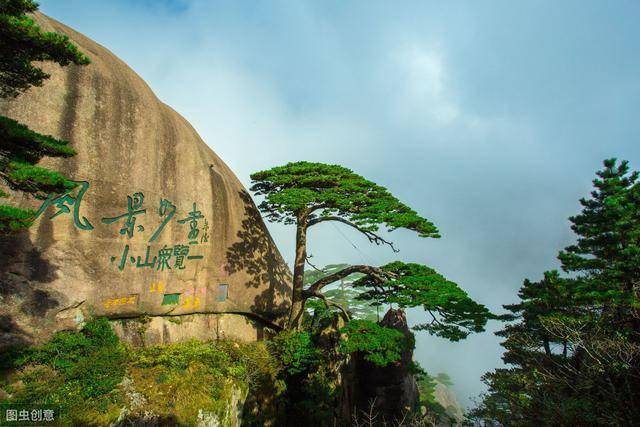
(327, 190)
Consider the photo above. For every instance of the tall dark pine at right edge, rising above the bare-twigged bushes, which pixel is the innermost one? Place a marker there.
(606, 256)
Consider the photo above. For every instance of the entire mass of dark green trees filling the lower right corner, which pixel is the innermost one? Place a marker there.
(572, 343)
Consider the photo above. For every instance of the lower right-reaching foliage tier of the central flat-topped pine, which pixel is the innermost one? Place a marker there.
(453, 314)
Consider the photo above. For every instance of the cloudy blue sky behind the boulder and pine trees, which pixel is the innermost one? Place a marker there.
(490, 118)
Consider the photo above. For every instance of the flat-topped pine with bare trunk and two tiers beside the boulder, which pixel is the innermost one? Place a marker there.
(307, 194)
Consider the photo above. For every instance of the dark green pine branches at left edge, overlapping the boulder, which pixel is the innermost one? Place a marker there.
(22, 43)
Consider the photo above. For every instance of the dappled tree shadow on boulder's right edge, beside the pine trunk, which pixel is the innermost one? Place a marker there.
(256, 255)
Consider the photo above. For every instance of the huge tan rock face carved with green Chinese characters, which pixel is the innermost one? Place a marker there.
(158, 229)
